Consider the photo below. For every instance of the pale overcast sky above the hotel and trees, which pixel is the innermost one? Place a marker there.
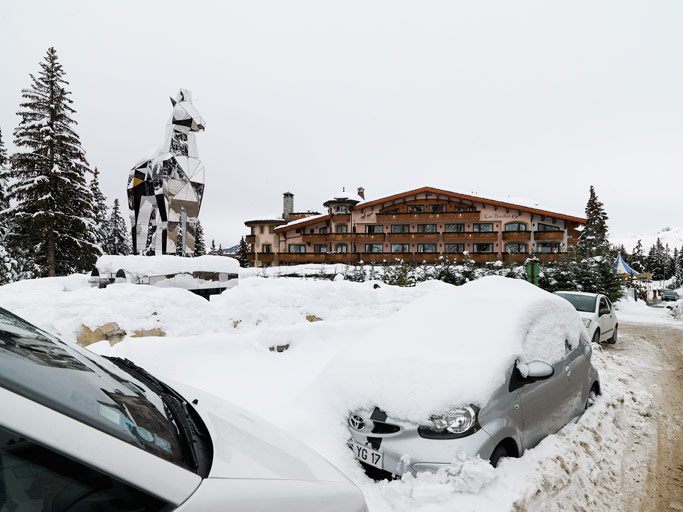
(511, 99)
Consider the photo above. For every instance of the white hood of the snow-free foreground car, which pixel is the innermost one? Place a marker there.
(246, 446)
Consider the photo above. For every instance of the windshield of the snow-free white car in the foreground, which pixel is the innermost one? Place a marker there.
(93, 390)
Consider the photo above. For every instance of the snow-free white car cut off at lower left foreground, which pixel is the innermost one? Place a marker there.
(81, 432)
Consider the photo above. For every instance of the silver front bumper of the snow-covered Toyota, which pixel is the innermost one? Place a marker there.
(405, 451)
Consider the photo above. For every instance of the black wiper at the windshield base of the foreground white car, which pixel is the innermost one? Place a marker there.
(175, 405)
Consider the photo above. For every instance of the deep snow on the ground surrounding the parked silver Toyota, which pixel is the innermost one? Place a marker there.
(222, 347)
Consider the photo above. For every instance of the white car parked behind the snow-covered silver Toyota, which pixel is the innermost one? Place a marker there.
(598, 315)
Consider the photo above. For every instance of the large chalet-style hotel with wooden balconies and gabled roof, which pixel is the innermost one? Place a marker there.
(416, 226)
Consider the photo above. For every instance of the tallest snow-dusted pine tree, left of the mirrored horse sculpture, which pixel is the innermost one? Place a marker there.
(52, 215)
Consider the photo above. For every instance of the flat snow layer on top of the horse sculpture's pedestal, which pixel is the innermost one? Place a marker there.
(165, 265)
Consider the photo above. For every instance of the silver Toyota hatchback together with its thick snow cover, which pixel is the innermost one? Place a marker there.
(487, 369)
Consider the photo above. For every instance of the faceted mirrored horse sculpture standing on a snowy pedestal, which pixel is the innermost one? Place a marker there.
(165, 191)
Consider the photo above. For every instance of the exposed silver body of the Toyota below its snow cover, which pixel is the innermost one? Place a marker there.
(518, 416)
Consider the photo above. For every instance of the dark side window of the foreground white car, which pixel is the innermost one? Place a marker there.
(35, 478)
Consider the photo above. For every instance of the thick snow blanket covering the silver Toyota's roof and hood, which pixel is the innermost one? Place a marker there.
(451, 348)
